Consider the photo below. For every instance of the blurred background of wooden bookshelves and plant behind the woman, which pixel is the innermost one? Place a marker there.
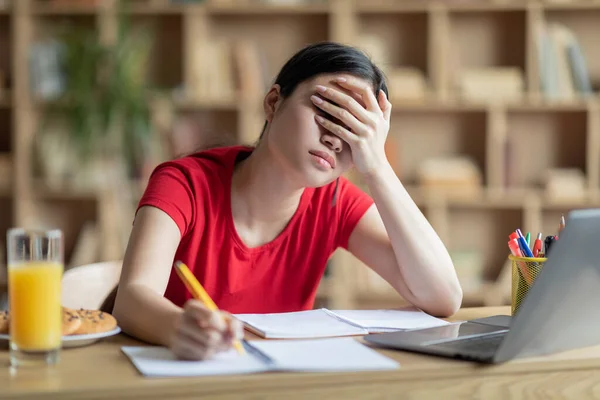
(495, 126)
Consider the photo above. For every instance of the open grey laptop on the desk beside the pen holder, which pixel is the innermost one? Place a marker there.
(561, 311)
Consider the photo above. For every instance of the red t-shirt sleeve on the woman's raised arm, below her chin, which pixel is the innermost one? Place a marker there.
(353, 203)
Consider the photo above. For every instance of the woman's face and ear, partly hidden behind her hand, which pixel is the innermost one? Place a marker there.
(304, 148)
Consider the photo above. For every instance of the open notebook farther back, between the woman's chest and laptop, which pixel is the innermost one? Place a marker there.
(326, 323)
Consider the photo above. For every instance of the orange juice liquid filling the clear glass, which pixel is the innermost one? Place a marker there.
(35, 308)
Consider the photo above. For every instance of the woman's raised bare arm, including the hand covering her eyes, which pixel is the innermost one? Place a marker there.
(393, 237)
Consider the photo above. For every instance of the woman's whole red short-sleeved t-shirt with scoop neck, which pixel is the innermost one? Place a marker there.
(279, 276)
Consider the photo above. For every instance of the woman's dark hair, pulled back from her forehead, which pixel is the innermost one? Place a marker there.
(327, 58)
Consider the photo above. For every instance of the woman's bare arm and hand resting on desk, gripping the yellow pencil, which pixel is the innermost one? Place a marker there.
(140, 306)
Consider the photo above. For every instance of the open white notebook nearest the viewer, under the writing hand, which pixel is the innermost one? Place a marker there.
(320, 355)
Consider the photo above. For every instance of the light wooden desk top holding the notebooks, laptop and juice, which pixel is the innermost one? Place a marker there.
(101, 371)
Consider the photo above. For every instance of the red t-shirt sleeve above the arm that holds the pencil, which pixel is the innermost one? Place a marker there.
(170, 190)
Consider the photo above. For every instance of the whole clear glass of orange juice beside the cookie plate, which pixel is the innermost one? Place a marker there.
(35, 268)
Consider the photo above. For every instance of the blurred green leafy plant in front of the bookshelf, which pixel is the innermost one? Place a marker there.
(106, 92)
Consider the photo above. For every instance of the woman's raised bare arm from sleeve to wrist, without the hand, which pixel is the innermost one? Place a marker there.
(395, 239)
